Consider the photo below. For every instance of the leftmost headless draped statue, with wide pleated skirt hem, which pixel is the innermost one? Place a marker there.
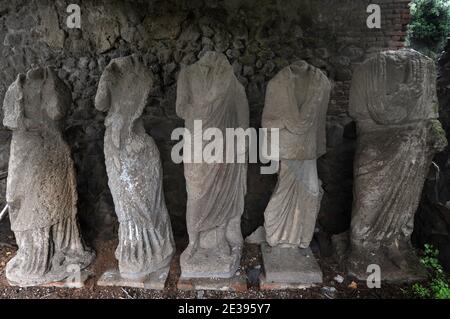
(41, 185)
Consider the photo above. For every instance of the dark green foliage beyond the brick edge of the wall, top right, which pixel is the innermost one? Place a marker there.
(430, 25)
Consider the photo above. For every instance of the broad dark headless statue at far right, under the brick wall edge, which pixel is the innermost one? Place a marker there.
(393, 100)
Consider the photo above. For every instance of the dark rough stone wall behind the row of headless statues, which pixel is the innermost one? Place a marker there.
(259, 37)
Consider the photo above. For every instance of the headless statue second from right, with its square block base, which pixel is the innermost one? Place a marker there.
(296, 104)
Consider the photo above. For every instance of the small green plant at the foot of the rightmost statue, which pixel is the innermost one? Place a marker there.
(438, 286)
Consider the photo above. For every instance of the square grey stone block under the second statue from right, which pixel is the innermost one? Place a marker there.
(289, 268)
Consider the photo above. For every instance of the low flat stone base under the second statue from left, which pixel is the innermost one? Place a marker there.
(155, 280)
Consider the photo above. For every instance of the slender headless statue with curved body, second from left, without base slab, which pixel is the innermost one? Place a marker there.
(134, 170)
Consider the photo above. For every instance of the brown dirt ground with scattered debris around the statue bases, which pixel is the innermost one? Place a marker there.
(251, 265)
